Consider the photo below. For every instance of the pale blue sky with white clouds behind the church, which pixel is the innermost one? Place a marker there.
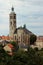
(29, 12)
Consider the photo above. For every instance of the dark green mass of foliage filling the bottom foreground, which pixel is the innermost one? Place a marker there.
(30, 57)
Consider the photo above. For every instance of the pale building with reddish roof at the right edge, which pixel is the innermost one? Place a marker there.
(38, 43)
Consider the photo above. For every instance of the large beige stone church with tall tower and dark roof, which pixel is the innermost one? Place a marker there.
(21, 35)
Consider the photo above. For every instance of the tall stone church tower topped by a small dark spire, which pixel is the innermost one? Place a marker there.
(12, 24)
